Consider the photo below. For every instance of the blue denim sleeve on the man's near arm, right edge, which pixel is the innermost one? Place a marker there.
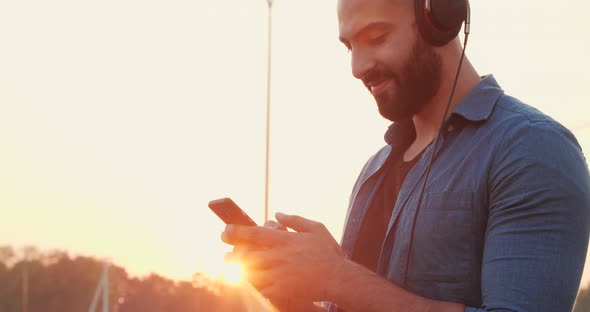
(538, 222)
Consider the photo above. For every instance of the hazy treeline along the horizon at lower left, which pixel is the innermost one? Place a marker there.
(55, 282)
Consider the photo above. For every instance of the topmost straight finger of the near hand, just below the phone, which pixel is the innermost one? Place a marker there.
(253, 235)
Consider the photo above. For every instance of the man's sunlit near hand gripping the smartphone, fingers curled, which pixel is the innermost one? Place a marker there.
(281, 264)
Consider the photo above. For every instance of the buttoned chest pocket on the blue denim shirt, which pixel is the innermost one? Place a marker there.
(443, 238)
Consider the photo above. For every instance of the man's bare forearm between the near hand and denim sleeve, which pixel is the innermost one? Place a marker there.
(359, 289)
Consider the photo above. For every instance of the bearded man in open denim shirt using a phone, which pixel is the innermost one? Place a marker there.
(502, 223)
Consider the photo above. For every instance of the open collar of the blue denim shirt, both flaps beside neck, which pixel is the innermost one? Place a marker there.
(476, 106)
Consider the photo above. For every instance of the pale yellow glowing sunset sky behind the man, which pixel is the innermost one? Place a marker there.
(121, 119)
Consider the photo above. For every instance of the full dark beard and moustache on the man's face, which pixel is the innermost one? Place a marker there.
(411, 88)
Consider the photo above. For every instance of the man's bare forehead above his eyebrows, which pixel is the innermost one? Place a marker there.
(353, 15)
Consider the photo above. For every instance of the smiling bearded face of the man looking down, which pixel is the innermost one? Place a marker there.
(389, 56)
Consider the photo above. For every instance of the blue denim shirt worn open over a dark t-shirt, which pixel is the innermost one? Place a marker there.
(504, 220)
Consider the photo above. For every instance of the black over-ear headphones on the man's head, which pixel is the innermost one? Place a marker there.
(439, 21)
